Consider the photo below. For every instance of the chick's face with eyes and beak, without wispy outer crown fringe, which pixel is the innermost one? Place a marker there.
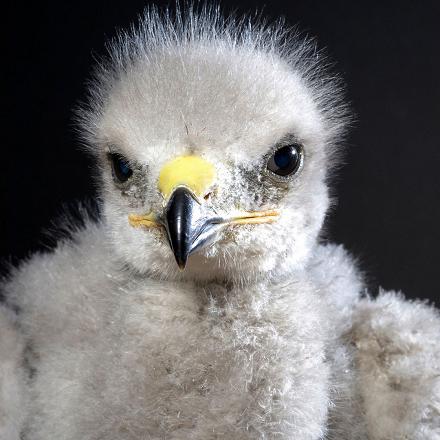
(213, 164)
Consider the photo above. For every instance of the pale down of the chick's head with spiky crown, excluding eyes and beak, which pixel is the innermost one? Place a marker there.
(230, 91)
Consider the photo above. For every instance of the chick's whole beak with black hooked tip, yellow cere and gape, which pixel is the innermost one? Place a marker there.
(189, 223)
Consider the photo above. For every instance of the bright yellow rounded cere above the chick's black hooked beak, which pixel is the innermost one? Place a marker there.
(191, 171)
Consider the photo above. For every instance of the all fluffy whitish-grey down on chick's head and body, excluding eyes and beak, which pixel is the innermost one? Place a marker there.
(265, 334)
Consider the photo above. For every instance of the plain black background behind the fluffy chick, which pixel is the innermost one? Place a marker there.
(388, 213)
